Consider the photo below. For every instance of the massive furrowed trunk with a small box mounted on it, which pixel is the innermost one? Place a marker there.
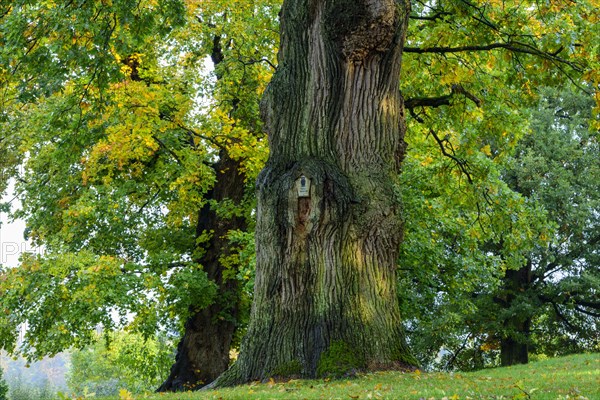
(328, 227)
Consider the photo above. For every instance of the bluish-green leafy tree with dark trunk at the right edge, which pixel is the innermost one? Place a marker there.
(555, 167)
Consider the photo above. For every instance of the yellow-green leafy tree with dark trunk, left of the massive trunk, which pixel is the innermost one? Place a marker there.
(144, 188)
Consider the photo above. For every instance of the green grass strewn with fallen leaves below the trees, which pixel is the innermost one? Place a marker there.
(572, 377)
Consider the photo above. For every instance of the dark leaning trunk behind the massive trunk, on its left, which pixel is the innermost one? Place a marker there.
(203, 352)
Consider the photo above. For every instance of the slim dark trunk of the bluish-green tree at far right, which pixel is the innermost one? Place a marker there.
(514, 348)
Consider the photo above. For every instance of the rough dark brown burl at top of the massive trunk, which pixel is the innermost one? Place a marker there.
(361, 28)
